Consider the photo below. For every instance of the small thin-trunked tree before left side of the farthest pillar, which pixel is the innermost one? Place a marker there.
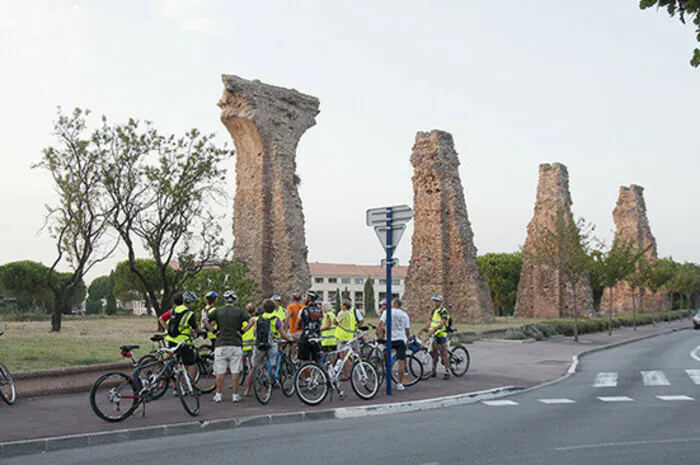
(613, 266)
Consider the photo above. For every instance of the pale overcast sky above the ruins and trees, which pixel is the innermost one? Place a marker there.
(598, 85)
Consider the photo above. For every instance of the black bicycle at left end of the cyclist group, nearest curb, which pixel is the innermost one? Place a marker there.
(136, 390)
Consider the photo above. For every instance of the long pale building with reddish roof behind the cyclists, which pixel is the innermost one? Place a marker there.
(327, 278)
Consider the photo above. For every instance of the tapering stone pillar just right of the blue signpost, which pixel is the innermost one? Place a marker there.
(443, 258)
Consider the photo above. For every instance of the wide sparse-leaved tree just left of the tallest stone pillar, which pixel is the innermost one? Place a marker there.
(162, 187)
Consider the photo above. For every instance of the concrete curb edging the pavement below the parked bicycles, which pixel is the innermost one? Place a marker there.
(37, 446)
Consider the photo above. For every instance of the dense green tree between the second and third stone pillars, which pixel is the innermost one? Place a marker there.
(502, 270)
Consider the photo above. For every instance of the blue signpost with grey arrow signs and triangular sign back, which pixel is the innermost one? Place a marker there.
(389, 223)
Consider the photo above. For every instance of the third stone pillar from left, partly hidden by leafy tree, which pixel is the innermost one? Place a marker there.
(545, 292)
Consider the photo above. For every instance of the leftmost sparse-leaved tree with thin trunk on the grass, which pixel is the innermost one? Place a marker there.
(79, 221)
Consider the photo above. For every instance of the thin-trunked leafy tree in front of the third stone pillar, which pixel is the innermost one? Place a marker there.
(565, 247)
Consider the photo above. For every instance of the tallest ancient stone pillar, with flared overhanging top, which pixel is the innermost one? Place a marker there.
(266, 123)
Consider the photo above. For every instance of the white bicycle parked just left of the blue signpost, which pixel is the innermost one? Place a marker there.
(314, 380)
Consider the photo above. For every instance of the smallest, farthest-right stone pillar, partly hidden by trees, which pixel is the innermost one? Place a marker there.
(631, 224)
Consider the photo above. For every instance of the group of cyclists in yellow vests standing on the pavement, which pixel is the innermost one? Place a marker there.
(245, 337)
